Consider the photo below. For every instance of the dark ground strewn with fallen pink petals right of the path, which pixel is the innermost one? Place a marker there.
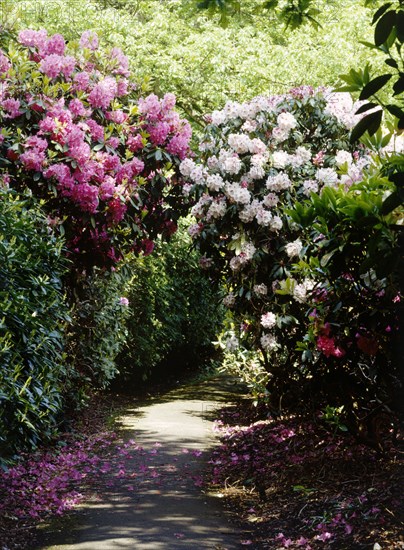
(301, 468)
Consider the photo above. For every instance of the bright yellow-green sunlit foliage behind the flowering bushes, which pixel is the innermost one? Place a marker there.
(174, 48)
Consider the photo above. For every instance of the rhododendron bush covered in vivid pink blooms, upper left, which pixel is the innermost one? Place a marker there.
(75, 131)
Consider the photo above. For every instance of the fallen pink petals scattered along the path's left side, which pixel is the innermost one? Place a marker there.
(45, 484)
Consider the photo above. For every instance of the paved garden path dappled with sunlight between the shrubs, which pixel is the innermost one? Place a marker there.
(164, 508)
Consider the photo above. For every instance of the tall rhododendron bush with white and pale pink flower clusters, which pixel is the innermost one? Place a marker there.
(257, 161)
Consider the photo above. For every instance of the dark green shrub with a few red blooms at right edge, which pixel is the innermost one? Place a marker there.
(351, 345)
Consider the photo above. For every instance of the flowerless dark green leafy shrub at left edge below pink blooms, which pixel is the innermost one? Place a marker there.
(32, 319)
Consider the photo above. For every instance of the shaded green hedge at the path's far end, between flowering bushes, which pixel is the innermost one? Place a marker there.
(173, 311)
